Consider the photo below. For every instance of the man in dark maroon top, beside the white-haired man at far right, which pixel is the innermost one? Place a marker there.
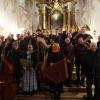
(80, 51)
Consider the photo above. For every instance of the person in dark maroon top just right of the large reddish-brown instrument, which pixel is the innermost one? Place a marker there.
(69, 52)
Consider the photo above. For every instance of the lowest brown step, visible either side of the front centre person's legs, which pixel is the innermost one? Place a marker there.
(47, 96)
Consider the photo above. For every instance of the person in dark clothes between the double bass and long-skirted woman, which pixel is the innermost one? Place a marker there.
(13, 57)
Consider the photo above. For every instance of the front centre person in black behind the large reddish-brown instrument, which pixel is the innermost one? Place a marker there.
(54, 56)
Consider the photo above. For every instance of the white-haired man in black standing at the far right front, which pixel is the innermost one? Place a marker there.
(92, 71)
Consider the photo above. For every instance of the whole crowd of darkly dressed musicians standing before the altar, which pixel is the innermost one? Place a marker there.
(46, 50)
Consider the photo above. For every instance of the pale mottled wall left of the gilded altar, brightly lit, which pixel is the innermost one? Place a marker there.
(15, 18)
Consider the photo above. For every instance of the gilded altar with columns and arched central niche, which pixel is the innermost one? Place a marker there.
(56, 14)
